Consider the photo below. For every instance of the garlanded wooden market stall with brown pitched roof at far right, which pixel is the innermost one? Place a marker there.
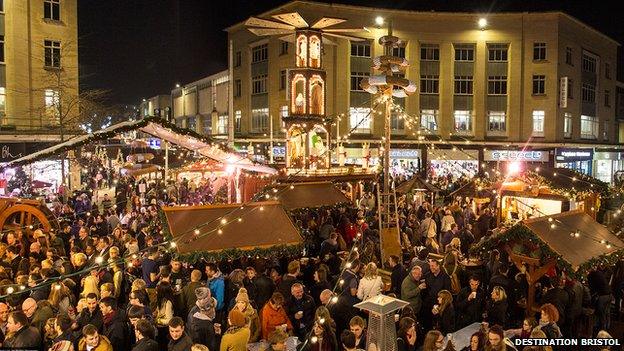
(570, 242)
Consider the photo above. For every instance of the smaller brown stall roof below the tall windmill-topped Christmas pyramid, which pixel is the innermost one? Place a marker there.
(313, 194)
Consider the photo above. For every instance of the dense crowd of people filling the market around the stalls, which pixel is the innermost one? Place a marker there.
(107, 279)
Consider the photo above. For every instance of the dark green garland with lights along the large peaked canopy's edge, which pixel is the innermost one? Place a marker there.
(103, 135)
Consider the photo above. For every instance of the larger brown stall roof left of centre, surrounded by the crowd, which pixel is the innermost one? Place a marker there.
(263, 225)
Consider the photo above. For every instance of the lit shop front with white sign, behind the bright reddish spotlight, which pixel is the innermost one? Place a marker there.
(515, 160)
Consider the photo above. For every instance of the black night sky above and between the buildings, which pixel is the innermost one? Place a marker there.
(141, 48)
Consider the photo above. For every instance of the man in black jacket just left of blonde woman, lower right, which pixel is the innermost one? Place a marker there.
(470, 303)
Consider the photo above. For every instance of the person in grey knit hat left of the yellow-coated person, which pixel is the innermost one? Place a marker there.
(200, 319)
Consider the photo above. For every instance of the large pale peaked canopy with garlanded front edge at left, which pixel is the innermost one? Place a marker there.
(158, 128)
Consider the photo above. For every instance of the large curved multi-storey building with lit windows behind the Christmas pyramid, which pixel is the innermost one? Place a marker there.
(543, 78)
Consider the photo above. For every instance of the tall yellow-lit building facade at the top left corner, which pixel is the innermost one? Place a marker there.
(38, 65)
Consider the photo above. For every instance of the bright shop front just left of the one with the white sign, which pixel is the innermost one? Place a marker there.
(454, 162)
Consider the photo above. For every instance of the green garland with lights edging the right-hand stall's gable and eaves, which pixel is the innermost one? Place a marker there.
(523, 241)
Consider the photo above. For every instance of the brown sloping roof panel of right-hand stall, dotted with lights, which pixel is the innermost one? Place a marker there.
(578, 250)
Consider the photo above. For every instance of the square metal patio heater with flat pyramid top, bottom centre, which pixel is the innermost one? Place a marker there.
(381, 334)
